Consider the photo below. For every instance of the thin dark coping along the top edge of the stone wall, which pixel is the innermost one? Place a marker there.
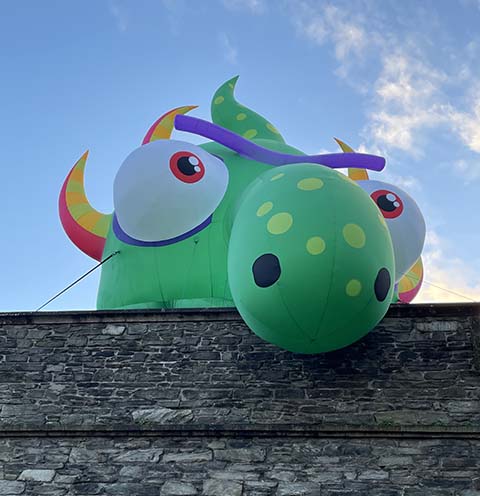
(421, 310)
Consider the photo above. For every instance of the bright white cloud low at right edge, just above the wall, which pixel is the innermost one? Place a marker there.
(447, 279)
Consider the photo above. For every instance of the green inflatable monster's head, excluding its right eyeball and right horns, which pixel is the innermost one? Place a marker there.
(242, 220)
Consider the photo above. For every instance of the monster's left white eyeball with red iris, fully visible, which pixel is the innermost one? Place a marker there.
(167, 188)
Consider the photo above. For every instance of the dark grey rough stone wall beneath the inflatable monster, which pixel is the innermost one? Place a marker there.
(192, 402)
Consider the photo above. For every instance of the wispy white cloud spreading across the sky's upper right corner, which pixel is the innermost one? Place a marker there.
(405, 90)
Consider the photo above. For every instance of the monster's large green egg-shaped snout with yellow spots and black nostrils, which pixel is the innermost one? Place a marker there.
(310, 259)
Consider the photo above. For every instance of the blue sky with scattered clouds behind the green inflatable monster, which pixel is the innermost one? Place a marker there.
(397, 78)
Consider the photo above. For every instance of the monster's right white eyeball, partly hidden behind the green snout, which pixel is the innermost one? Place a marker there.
(404, 220)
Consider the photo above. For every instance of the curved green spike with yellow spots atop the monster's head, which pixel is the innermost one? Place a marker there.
(228, 113)
